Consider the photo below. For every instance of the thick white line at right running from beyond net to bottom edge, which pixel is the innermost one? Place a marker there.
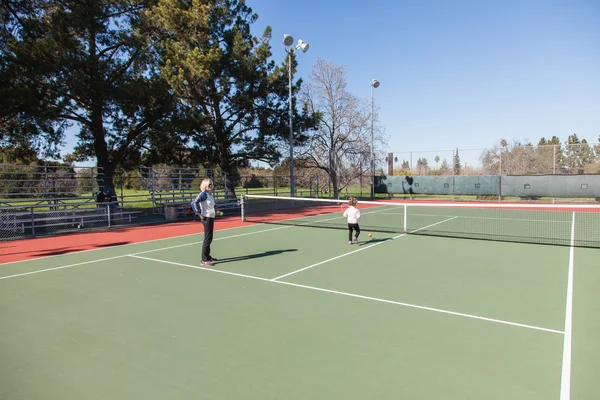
(565, 380)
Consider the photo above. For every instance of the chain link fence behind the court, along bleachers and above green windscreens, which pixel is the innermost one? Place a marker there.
(48, 200)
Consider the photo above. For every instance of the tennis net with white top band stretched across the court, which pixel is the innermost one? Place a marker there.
(555, 224)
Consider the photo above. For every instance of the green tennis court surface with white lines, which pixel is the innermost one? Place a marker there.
(292, 311)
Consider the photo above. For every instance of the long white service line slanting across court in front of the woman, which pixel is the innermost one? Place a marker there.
(438, 310)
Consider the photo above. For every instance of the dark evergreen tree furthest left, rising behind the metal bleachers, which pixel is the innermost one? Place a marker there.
(93, 67)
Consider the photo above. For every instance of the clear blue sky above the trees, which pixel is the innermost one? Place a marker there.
(455, 73)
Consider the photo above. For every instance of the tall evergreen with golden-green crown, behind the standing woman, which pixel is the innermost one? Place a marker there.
(232, 98)
